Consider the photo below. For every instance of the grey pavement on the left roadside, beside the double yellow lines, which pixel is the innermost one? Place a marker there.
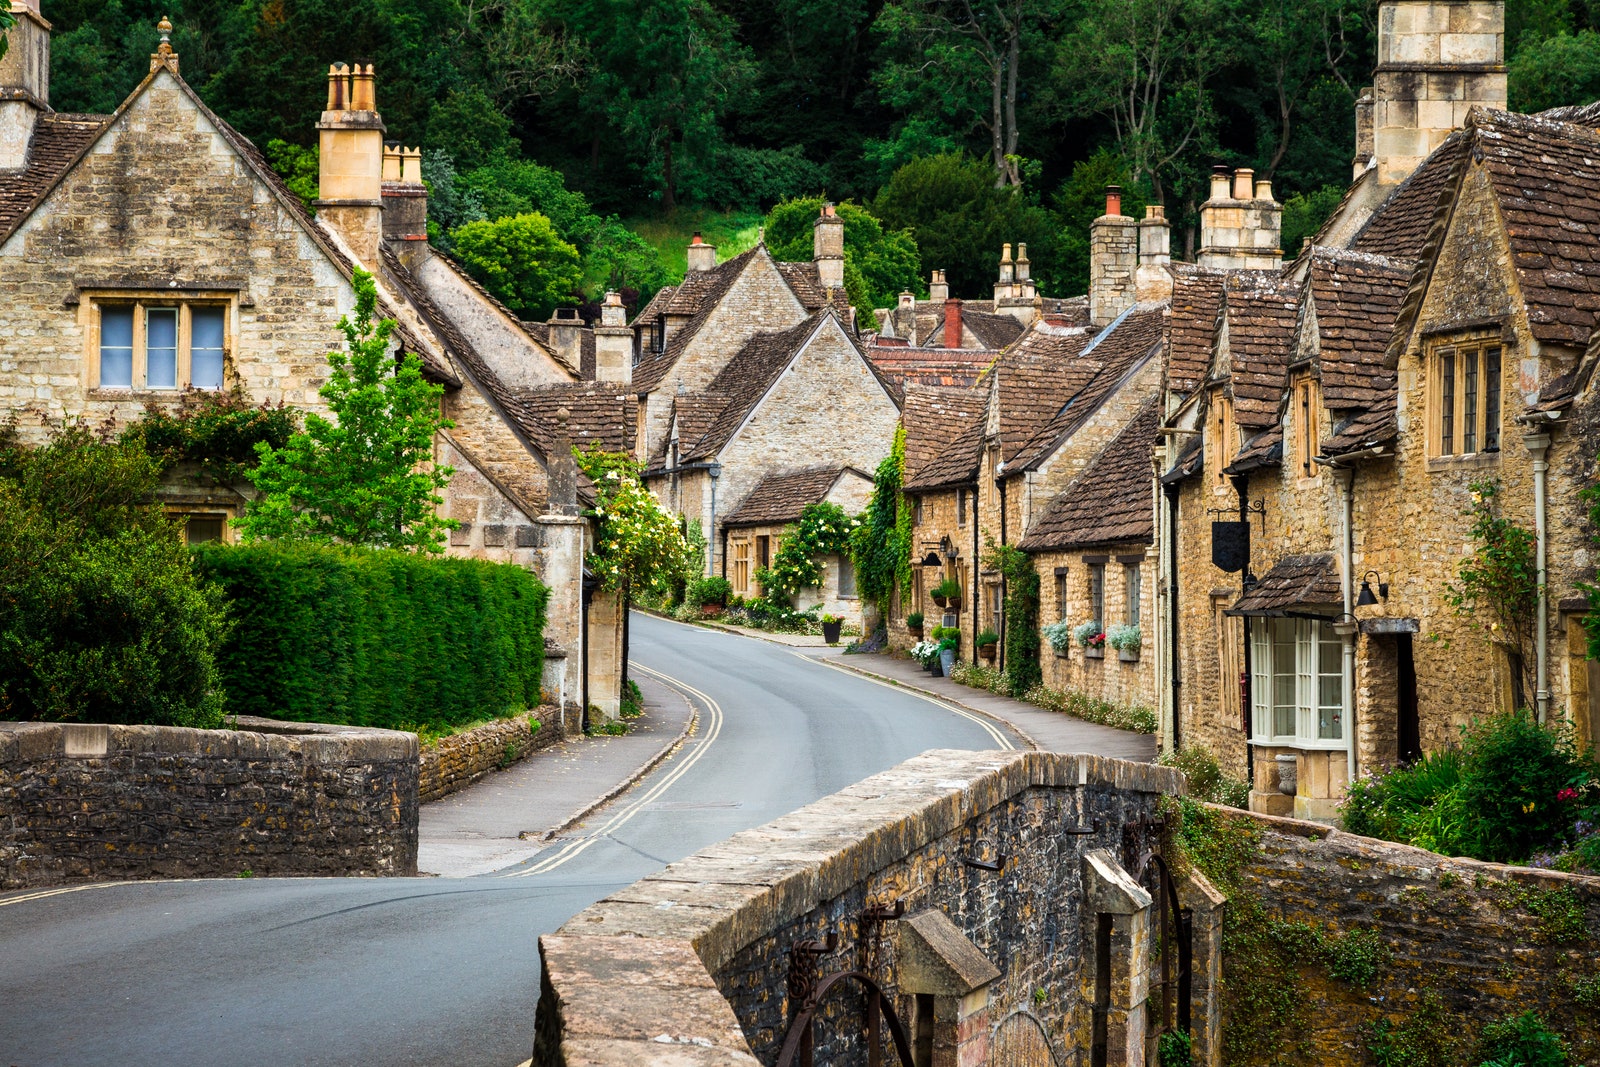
(508, 817)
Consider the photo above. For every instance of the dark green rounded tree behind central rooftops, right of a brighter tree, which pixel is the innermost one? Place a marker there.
(961, 220)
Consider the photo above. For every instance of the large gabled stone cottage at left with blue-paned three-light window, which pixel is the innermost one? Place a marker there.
(151, 255)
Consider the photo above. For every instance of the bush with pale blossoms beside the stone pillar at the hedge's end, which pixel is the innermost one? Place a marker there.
(638, 545)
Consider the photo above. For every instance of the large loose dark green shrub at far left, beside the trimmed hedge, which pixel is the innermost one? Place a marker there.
(103, 618)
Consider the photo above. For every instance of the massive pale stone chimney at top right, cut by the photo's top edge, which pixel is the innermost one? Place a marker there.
(1436, 62)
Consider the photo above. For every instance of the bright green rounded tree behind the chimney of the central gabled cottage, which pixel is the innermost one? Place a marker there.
(879, 265)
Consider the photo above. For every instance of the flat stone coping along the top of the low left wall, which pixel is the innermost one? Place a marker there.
(250, 740)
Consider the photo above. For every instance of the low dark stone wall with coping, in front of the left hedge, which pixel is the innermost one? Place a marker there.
(97, 802)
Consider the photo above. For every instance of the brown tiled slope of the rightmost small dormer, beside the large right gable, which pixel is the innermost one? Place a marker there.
(1356, 298)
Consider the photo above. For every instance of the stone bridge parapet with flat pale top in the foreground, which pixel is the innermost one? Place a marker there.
(993, 921)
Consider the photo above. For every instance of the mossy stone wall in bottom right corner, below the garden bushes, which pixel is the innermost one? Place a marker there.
(1484, 940)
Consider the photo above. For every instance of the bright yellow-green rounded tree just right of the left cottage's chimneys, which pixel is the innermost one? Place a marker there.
(522, 262)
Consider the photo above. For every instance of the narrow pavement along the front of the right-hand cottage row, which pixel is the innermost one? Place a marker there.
(1050, 732)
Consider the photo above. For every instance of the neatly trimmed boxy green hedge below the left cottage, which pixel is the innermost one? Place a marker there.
(377, 637)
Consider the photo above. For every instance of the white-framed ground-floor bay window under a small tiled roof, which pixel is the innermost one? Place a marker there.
(1305, 671)
